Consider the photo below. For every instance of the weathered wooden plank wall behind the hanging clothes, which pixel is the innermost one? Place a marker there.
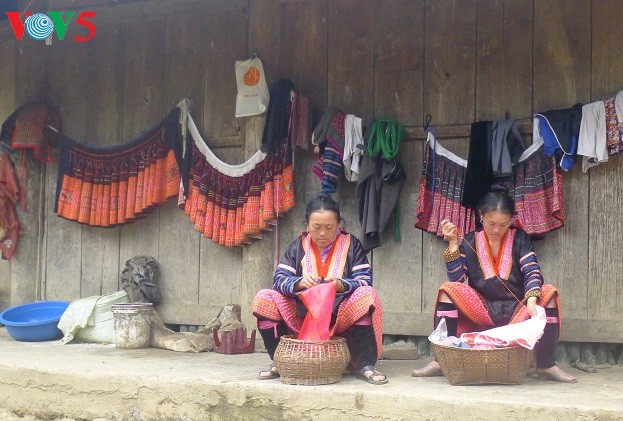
(458, 60)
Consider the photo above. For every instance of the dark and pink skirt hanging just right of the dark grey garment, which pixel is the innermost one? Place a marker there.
(538, 192)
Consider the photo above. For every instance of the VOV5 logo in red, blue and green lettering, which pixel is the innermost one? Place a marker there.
(41, 25)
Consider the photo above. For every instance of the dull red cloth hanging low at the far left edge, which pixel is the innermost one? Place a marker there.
(9, 195)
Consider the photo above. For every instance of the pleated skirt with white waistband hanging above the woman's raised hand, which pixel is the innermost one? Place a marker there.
(441, 190)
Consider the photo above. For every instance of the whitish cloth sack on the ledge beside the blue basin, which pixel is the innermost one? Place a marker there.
(90, 319)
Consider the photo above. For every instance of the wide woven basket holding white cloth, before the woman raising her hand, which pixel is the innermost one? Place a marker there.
(463, 366)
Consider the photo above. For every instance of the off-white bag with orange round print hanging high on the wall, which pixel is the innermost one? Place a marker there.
(253, 97)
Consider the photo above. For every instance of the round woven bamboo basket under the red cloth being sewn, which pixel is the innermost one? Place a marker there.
(311, 362)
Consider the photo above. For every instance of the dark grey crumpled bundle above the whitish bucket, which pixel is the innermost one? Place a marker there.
(140, 279)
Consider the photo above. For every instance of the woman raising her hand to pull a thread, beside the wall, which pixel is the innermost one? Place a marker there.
(501, 269)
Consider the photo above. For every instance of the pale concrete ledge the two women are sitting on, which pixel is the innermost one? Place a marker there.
(85, 381)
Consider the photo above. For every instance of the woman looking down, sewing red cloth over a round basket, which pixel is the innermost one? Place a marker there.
(325, 253)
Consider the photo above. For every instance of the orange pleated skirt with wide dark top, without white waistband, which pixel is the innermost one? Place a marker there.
(112, 186)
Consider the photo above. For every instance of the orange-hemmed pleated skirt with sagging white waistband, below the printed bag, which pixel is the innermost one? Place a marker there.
(234, 204)
